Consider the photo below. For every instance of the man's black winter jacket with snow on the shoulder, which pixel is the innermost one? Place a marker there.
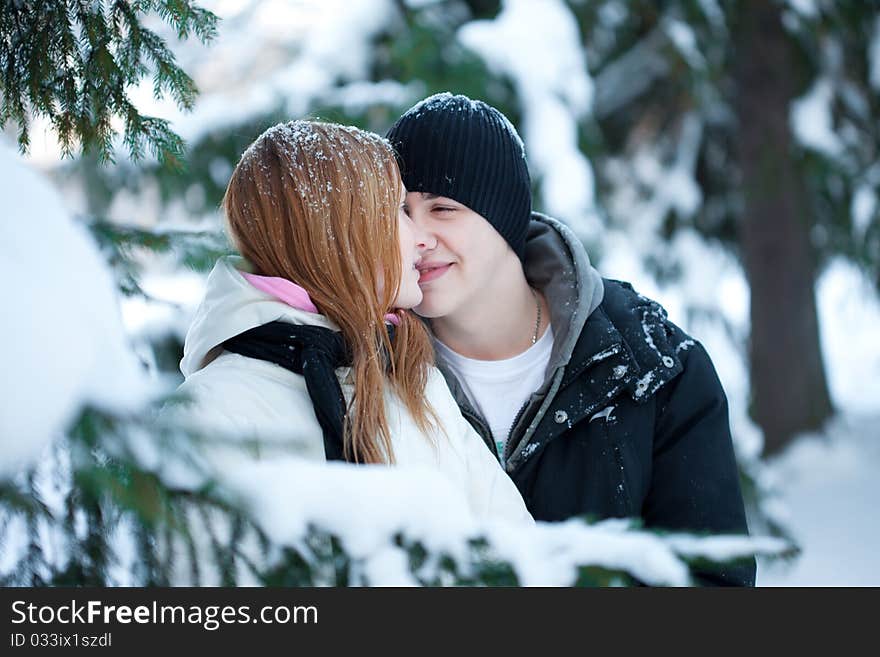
(636, 427)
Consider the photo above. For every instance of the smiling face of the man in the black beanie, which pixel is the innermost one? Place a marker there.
(466, 254)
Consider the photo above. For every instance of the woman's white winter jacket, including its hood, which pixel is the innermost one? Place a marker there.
(238, 397)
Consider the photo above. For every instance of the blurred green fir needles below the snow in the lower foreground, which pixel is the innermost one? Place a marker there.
(110, 489)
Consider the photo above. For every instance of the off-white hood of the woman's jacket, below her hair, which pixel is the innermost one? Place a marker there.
(231, 306)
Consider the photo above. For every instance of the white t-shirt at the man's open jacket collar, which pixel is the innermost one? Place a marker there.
(499, 388)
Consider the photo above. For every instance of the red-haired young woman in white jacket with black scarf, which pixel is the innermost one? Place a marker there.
(307, 338)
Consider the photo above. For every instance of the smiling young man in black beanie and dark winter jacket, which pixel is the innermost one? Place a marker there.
(594, 402)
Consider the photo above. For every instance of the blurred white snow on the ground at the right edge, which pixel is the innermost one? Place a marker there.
(827, 483)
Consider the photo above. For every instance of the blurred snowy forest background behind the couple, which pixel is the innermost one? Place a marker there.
(723, 156)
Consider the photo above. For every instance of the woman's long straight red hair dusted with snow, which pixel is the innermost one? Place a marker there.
(317, 204)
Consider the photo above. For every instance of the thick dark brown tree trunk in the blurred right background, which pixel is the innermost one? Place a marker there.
(789, 388)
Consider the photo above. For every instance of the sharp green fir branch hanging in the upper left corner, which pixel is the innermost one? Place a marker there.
(72, 61)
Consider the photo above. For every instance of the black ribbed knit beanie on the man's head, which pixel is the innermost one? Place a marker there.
(468, 151)
